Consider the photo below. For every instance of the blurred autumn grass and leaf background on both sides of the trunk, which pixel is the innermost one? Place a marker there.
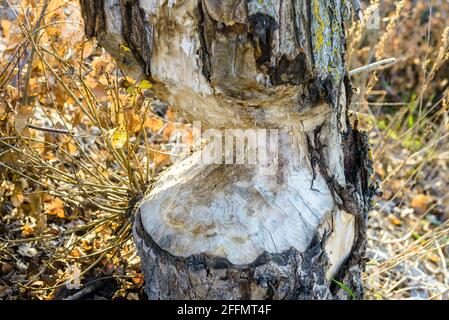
(79, 139)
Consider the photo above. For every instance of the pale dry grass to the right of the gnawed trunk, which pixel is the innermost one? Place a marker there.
(405, 107)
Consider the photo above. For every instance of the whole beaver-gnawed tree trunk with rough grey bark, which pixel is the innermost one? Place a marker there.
(236, 230)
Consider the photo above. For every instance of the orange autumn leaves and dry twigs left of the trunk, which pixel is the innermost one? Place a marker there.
(78, 141)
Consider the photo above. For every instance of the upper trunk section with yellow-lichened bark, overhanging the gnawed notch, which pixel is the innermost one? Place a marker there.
(272, 59)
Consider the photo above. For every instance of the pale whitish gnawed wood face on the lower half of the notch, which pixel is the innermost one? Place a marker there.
(238, 212)
